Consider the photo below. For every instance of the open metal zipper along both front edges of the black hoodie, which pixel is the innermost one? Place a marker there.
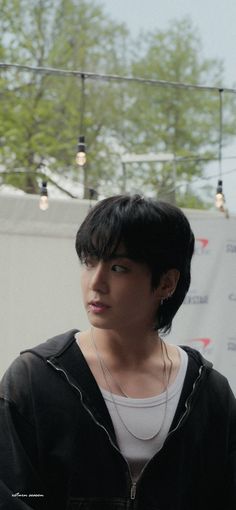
(133, 484)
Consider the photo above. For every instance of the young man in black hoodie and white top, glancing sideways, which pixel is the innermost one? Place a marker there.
(114, 418)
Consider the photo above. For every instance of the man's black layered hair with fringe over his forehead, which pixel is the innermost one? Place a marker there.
(153, 232)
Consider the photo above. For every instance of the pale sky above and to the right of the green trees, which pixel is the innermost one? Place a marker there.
(215, 23)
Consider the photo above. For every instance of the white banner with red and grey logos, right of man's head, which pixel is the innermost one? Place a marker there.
(207, 319)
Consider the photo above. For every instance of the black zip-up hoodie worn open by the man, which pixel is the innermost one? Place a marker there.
(58, 448)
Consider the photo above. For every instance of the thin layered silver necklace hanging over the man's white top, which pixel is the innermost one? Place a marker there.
(106, 372)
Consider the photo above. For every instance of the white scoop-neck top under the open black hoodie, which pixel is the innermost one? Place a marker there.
(144, 417)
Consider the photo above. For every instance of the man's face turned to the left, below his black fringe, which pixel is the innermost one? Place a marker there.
(117, 293)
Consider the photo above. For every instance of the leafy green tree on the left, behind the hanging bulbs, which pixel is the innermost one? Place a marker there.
(43, 114)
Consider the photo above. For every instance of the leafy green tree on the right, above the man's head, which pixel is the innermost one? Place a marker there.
(181, 121)
